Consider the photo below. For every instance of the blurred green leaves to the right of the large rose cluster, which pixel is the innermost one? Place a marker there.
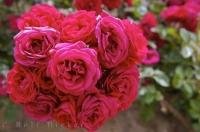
(177, 77)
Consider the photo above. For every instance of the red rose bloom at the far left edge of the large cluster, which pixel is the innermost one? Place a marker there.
(21, 85)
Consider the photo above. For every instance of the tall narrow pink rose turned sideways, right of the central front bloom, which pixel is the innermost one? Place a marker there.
(112, 41)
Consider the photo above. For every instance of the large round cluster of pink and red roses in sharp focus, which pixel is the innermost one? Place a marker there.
(79, 69)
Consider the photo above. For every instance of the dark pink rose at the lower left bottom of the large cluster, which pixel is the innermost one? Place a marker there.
(41, 108)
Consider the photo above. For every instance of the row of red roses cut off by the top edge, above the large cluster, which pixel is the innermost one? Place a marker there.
(96, 5)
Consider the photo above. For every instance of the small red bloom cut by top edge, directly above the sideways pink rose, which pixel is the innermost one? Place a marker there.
(111, 4)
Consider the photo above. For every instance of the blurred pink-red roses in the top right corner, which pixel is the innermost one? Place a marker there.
(183, 12)
